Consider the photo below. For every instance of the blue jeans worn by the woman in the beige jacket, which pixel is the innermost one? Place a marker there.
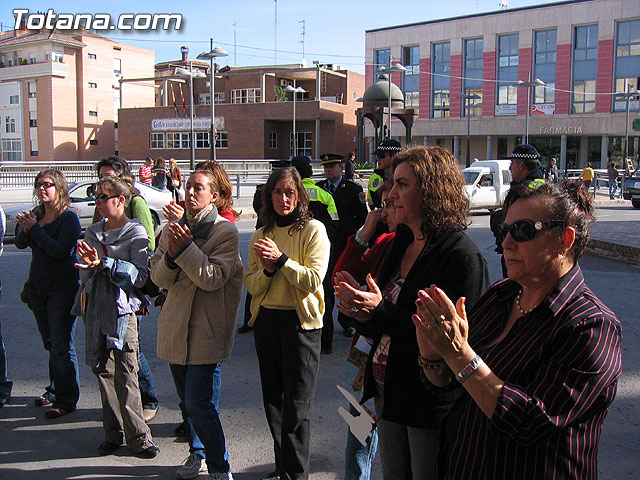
(198, 387)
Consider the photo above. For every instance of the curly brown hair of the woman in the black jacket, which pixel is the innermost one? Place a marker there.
(440, 183)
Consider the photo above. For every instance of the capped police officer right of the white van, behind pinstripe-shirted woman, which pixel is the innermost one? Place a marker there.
(525, 170)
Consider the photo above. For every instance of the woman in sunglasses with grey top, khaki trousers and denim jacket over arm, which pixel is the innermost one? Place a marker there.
(115, 258)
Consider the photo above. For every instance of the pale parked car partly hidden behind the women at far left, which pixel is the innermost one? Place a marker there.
(82, 201)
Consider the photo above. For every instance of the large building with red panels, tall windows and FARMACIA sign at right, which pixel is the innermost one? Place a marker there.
(469, 76)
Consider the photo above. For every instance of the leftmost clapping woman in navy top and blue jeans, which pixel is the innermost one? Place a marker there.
(52, 229)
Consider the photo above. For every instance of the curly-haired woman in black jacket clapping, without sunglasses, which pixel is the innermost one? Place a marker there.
(430, 246)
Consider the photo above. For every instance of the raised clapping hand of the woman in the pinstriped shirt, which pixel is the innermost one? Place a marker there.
(440, 322)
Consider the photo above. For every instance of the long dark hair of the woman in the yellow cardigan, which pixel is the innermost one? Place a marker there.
(268, 214)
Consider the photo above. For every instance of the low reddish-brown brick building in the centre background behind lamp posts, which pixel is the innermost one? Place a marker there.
(250, 121)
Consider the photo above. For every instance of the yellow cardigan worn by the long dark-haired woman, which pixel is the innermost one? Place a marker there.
(308, 251)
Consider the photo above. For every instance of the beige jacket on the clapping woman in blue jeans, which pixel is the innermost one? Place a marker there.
(197, 323)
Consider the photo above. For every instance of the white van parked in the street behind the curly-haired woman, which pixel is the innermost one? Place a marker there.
(487, 183)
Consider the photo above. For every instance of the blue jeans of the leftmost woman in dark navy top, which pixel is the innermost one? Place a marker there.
(51, 307)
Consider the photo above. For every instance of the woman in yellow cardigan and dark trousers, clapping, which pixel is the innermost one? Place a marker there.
(288, 259)
